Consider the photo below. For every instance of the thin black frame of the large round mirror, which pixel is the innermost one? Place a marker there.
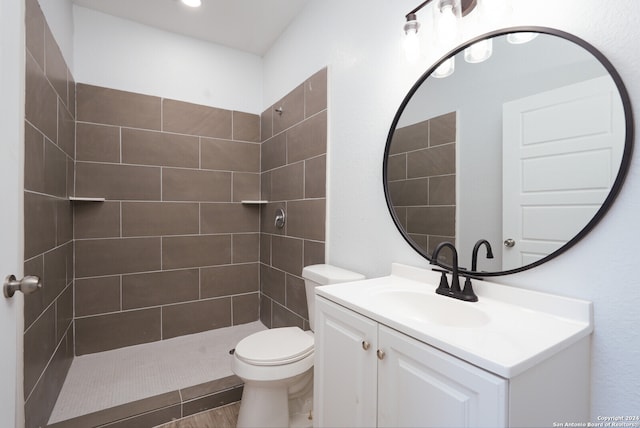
(624, 164)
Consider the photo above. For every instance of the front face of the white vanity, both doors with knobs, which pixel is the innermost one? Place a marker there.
(367, 375)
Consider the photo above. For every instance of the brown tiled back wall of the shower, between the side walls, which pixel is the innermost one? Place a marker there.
(172, 250)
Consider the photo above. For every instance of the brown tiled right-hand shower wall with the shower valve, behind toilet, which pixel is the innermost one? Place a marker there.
(293, 165)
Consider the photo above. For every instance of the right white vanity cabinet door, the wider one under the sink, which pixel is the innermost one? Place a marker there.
(420, 386)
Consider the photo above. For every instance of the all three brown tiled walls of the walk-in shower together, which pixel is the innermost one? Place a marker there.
(172, 250)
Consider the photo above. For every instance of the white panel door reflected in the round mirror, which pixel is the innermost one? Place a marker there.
(561, 153)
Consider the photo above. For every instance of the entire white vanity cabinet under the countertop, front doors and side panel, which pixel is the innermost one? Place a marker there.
(368, 374)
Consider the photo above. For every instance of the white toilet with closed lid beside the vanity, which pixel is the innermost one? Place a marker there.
(276, 365)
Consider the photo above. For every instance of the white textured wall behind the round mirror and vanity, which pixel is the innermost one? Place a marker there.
(360, 41)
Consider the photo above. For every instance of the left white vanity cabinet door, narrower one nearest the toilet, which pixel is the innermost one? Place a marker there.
(345, 372)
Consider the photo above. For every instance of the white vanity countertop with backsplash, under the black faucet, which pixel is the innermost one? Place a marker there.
(524, 327)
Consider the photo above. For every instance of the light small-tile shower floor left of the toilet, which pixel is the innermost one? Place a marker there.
(106, 379)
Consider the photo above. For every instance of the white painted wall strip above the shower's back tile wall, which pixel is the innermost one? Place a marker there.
(120, 54)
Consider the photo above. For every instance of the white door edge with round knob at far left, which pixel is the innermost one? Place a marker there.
(11, 184)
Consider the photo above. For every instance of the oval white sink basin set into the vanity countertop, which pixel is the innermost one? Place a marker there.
(429, 307)
